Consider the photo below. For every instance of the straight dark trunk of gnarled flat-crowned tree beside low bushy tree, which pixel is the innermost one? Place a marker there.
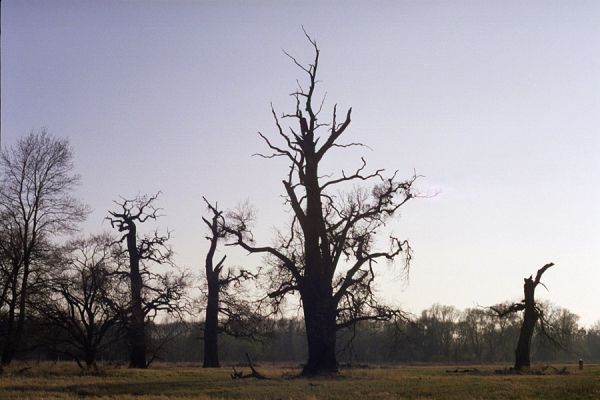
(137, 334)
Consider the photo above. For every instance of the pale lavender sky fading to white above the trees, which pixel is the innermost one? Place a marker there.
(496, 104)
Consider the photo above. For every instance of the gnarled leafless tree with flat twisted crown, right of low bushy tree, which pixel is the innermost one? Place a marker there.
(150, 292)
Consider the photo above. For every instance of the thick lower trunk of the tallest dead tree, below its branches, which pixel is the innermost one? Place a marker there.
(320, 321)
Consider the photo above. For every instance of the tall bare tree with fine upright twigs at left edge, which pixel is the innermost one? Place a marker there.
(36, 204)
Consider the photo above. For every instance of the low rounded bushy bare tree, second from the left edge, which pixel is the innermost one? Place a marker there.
(84, 299)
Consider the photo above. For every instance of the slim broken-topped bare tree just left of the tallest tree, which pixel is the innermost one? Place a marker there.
(226, 311)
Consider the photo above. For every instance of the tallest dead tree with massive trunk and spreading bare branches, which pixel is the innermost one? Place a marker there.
(329, 254)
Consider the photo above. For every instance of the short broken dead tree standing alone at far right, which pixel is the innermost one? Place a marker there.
(532, 314)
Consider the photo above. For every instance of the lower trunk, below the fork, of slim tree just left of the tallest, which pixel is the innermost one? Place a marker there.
(211, 332)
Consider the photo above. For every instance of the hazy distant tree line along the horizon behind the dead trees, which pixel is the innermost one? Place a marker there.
(441, 334)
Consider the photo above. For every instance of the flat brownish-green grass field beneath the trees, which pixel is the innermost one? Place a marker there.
(167, 381)
